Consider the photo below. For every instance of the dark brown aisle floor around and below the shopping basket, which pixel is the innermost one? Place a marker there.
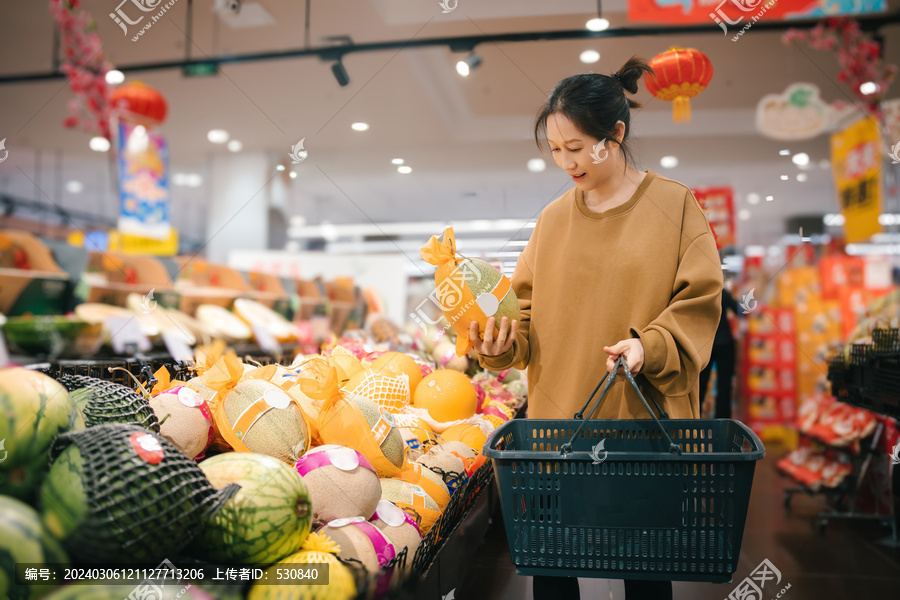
(843, 563)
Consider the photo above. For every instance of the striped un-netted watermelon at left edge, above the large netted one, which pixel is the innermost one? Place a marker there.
(34, 409)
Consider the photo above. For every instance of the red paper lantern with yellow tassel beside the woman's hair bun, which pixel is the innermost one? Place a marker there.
(680, 74)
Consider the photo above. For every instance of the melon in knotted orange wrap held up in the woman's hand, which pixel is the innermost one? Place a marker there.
(468, 289)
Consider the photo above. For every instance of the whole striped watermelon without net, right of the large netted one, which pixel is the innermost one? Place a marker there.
(268, 519)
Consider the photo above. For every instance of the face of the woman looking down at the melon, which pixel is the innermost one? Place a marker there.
(587, 160)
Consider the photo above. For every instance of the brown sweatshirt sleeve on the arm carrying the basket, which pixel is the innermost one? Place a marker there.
(677, 344)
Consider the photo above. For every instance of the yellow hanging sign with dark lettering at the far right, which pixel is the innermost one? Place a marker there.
(855, 161)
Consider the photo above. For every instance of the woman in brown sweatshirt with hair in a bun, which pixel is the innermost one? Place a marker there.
(623, 264)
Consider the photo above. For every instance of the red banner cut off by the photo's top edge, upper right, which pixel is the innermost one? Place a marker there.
(731, 14)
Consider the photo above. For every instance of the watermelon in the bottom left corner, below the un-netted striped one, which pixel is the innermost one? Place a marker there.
(23, 540)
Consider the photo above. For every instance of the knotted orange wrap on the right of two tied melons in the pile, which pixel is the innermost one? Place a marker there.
(340, 421)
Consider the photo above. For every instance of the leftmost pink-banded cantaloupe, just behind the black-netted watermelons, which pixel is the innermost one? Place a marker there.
(183, 422)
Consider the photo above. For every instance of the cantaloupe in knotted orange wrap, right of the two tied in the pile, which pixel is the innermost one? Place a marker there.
(351, 420)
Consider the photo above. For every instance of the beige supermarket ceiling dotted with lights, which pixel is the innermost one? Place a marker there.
(468, 140)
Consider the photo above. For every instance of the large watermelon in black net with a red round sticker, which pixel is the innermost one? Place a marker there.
(119, 490)
